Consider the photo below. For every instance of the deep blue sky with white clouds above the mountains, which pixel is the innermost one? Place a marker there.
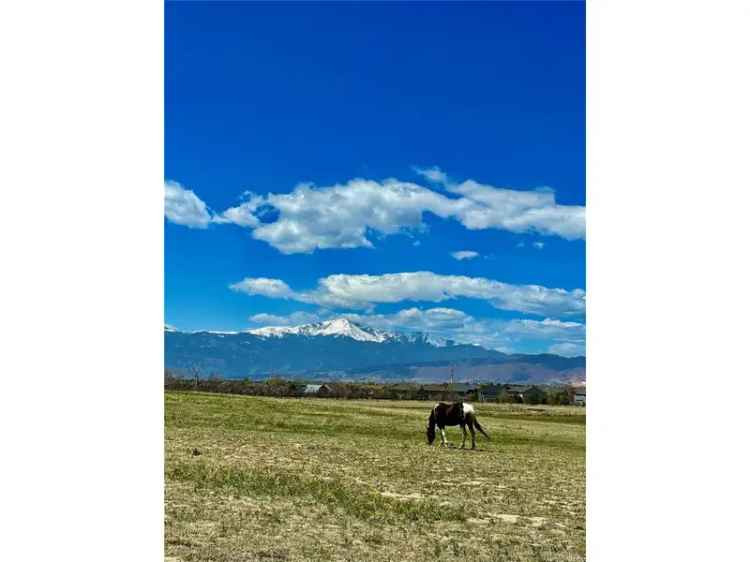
(333, 159)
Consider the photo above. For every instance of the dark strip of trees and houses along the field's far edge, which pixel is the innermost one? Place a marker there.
(505, 393)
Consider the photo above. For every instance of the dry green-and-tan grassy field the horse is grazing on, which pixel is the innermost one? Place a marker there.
(250, 478)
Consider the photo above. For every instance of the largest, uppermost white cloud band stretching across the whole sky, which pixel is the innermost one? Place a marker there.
(344, 215)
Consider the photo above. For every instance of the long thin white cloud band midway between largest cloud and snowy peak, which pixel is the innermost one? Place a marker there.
(365, 291)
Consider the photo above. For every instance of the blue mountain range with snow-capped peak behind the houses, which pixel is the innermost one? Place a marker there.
(345, 350)
